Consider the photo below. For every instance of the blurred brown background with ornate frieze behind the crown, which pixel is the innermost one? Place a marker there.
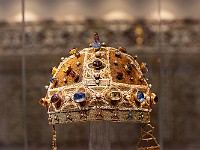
(164, 33)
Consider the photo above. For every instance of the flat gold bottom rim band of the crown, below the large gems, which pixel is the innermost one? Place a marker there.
(99, 114)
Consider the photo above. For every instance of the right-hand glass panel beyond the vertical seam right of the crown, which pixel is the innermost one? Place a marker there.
(180, 44)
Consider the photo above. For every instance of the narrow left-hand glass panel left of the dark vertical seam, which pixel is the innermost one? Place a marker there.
(11, 108)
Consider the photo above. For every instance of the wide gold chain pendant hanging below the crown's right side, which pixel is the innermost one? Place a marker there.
(147, 140)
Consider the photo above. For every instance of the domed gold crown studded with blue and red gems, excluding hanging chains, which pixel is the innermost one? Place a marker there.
(99, 83)
